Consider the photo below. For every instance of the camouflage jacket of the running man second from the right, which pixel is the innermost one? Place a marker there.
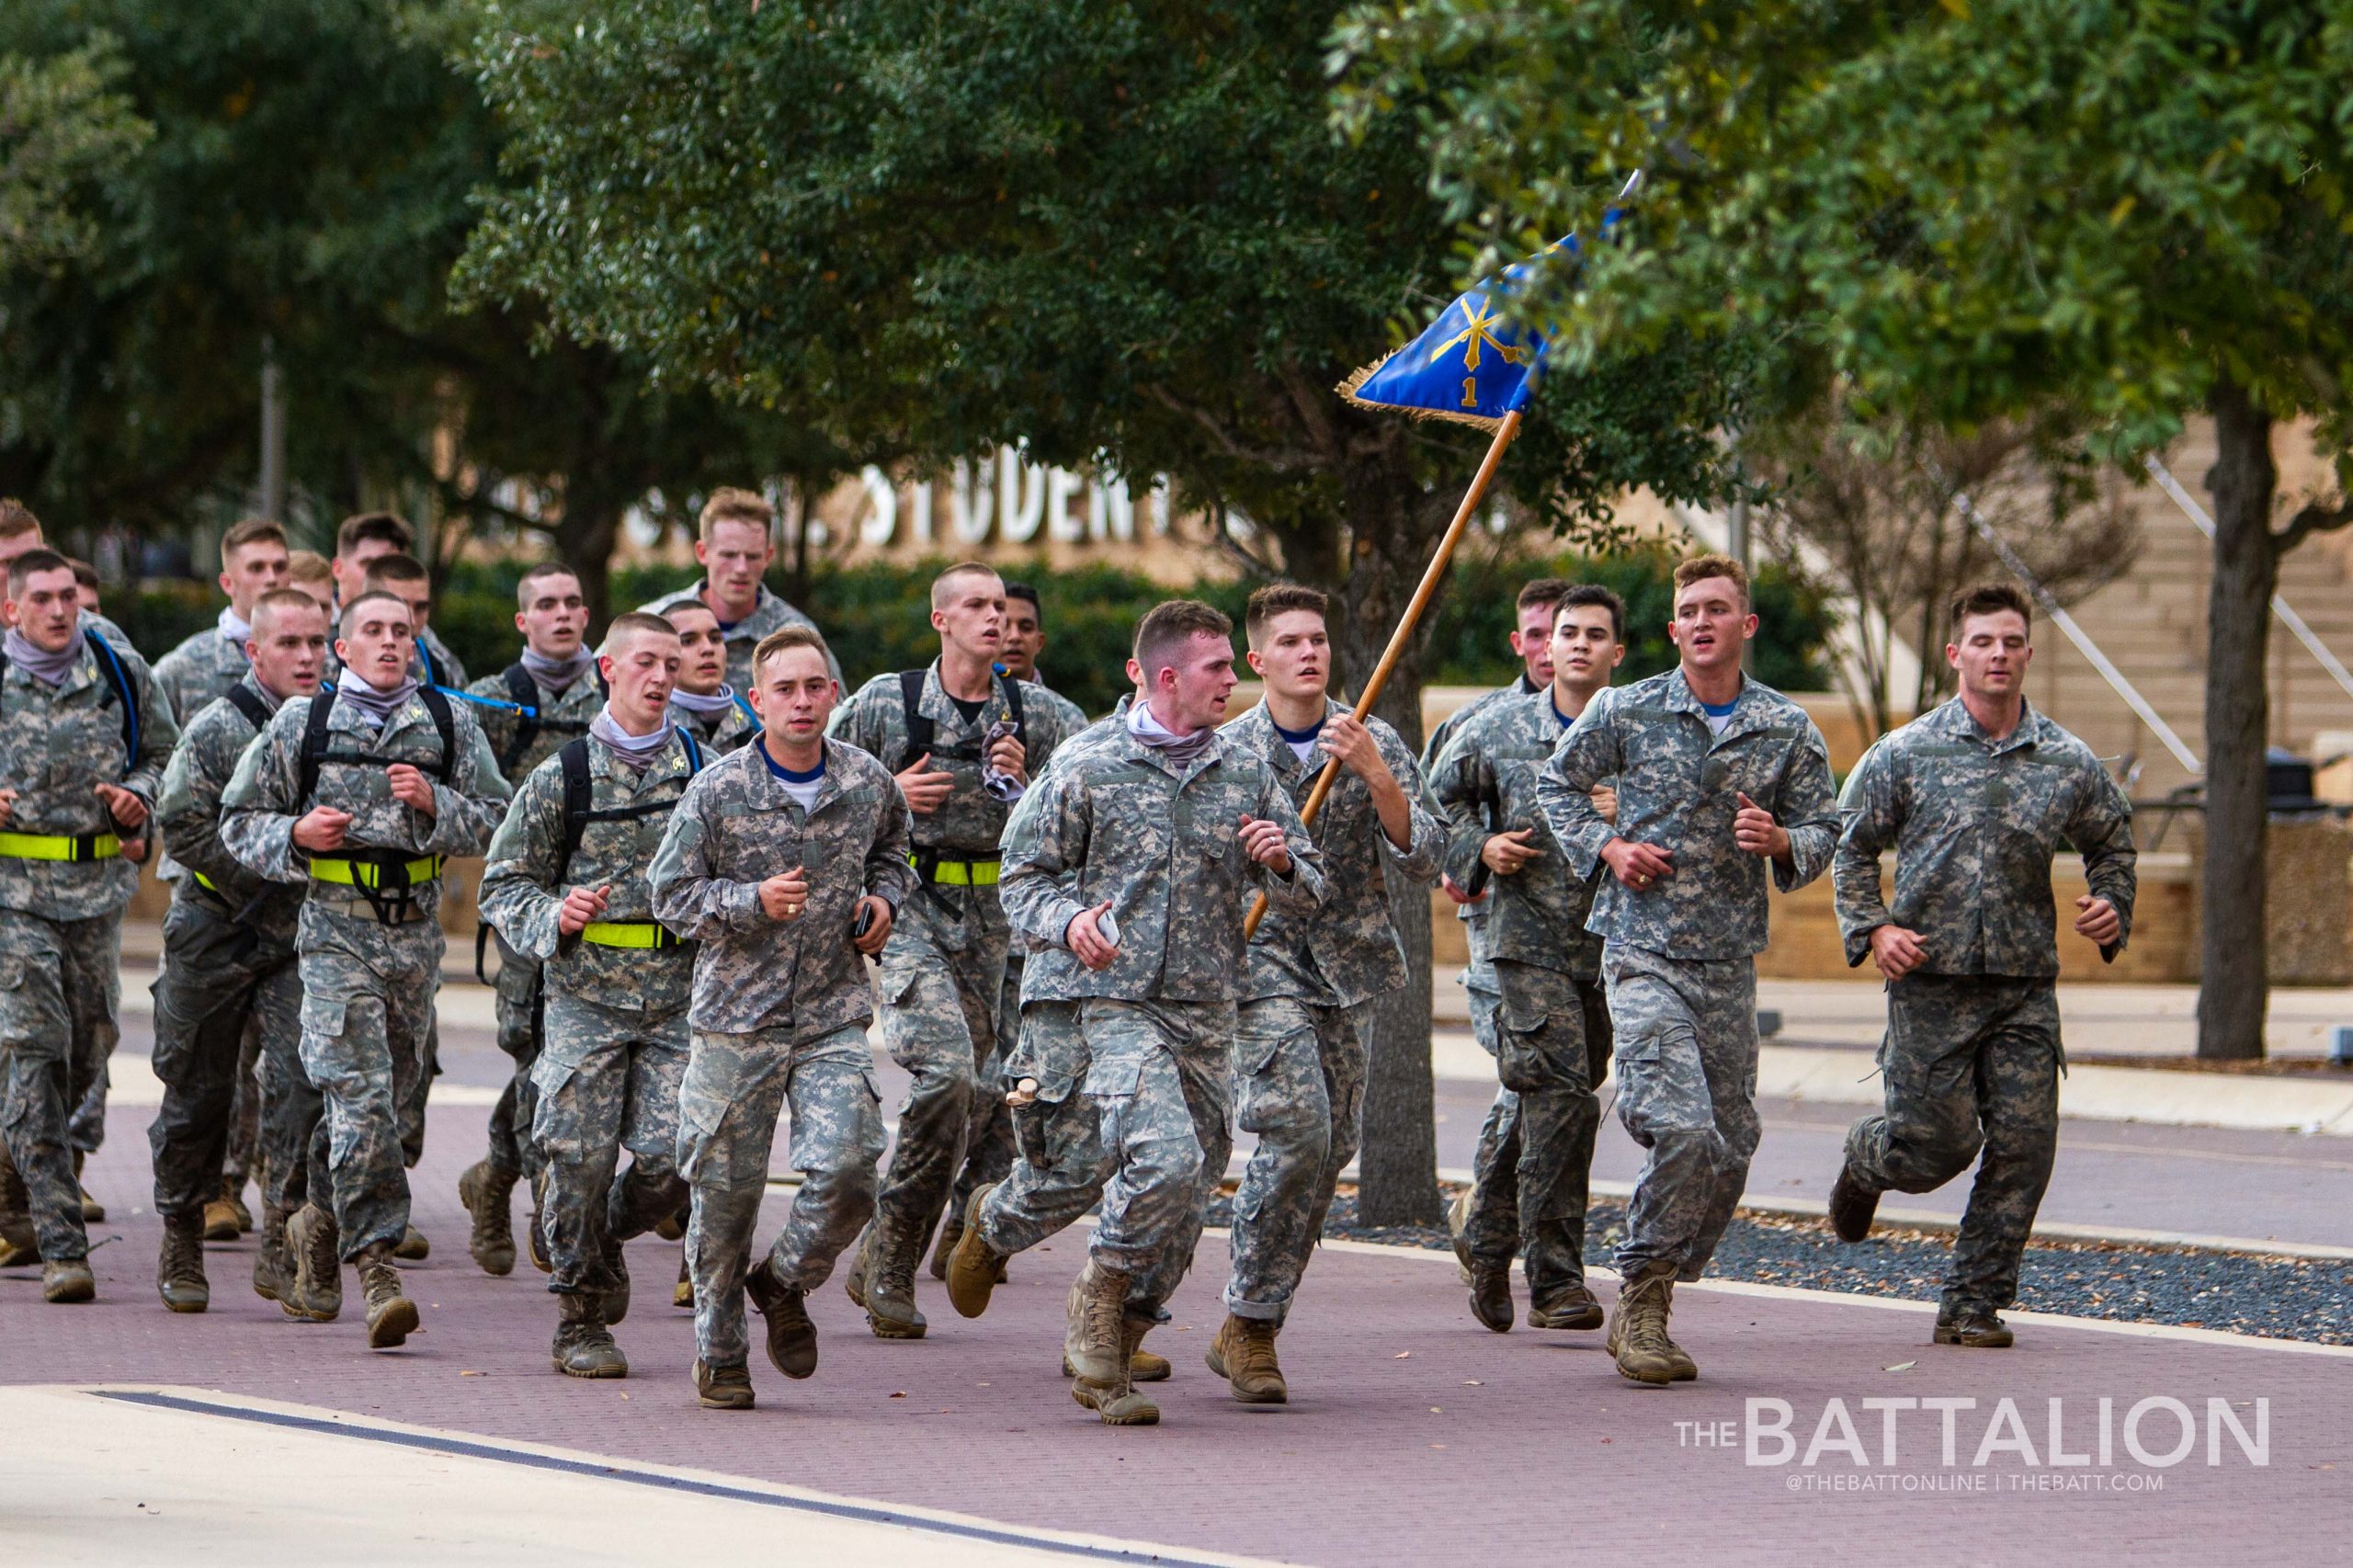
(1677, 790)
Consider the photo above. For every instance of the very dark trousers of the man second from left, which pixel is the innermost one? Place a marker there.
(222, 983)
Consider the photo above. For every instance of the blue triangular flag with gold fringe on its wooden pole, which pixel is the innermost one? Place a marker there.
(1472, 366)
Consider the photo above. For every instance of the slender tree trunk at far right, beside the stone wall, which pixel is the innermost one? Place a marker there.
(2232, 992)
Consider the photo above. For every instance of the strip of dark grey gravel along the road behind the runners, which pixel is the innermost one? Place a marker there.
(2281, 1298)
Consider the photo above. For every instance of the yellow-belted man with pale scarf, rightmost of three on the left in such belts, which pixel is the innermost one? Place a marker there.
(615, 1037)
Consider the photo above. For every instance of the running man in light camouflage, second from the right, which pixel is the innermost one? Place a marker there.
(1717, 776)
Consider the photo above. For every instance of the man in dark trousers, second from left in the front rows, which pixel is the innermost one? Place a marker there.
(229, 974)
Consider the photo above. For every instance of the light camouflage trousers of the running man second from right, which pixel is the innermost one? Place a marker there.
(1688, 1087)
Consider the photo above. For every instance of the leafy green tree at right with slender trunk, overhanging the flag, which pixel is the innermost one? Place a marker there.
(2124, 208)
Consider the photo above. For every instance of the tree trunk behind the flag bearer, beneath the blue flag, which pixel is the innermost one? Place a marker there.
(1392, 547)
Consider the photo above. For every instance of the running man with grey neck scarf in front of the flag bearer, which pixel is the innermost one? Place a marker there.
(1168, 828)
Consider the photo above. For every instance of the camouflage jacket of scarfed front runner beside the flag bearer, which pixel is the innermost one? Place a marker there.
(1114, 820)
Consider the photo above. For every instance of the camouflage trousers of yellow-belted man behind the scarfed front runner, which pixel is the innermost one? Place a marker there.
(940, 1023)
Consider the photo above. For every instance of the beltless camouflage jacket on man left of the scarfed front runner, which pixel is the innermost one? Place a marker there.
(733, 830)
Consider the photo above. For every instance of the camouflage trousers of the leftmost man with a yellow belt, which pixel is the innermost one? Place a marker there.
(60, 983)
